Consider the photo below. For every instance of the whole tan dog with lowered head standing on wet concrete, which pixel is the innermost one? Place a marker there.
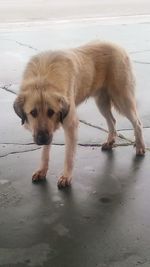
(54, 83)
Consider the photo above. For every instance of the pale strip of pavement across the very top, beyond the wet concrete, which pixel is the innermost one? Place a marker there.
(16, 10)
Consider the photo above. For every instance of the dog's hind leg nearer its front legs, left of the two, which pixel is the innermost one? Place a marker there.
(104, 105)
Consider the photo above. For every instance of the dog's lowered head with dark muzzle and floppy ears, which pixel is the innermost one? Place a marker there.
(41, 108)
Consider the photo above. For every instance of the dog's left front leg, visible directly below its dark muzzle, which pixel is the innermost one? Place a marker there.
(40, 174)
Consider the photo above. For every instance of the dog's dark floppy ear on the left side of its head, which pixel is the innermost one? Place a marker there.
(18, 107)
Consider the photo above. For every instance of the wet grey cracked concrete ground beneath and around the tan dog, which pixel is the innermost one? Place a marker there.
(103, 220)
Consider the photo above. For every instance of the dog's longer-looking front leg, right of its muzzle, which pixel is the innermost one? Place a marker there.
(70, 129)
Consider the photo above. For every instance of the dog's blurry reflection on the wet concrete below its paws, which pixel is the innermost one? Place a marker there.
(89, 221)
